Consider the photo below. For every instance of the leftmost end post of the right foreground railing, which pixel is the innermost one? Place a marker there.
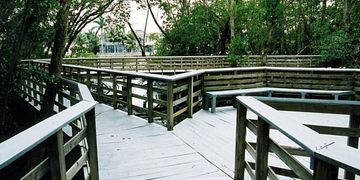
(240, 145)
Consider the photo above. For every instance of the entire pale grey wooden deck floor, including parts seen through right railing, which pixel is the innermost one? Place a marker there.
(199, 148)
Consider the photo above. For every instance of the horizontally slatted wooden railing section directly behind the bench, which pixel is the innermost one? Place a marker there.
(304, 78)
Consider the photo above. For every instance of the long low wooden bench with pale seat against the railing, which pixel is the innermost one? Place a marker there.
(212, 95)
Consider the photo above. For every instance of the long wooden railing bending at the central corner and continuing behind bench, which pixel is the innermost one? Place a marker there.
(166, 98)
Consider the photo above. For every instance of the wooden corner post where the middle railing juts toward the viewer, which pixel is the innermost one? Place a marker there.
(170, 105)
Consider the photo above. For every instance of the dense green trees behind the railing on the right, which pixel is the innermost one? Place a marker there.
(326, 27)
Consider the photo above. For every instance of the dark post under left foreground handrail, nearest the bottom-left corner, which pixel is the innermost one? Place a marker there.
(57, 156)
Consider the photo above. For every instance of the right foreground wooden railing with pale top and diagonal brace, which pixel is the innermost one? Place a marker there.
(326, 155)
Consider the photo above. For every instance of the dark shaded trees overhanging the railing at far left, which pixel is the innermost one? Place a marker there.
(45, 28)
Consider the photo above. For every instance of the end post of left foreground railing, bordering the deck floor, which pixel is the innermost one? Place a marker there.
(92, 144)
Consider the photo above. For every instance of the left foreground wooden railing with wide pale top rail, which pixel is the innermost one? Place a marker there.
(70, 131)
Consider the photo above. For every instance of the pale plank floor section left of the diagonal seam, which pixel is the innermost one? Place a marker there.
(131, 148)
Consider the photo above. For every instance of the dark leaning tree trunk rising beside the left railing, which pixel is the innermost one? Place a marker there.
(56, 58)
